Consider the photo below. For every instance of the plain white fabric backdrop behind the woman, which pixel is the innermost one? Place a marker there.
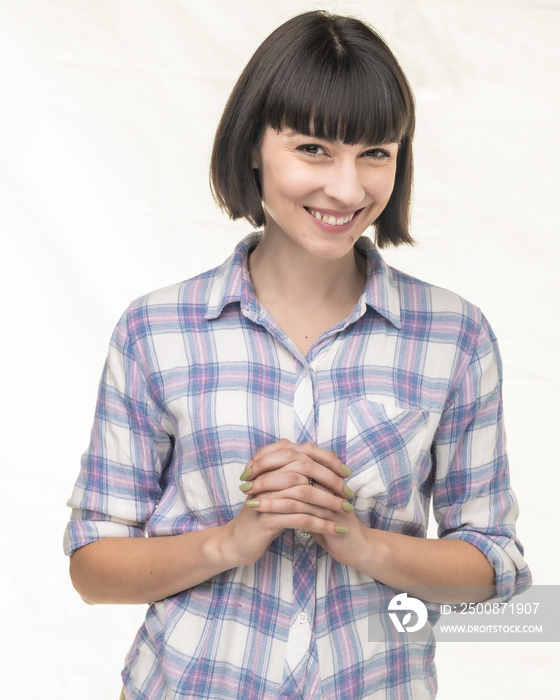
(107, 112)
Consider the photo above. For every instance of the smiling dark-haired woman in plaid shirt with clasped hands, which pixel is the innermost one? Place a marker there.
(343, 394)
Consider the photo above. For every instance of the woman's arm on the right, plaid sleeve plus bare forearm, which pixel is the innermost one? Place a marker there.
(473, 502)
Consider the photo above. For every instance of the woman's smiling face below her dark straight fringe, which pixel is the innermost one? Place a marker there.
(322, 195)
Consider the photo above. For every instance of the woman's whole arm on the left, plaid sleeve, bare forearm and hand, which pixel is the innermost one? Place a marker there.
(121, 482)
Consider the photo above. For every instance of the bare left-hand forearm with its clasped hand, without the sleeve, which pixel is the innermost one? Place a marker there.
(141, 570)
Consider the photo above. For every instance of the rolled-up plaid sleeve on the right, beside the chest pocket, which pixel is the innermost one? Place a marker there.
(472, 497)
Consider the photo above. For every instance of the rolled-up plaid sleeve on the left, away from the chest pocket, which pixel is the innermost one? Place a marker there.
(119, 484)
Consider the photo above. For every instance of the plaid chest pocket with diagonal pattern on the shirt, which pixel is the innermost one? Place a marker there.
(385, 446)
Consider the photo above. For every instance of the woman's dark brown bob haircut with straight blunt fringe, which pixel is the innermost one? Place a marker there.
(326, 76)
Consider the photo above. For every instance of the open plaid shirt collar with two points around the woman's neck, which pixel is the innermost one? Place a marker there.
(232, 283)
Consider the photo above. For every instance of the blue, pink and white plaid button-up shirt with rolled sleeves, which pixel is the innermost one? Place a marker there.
(407, 390)
